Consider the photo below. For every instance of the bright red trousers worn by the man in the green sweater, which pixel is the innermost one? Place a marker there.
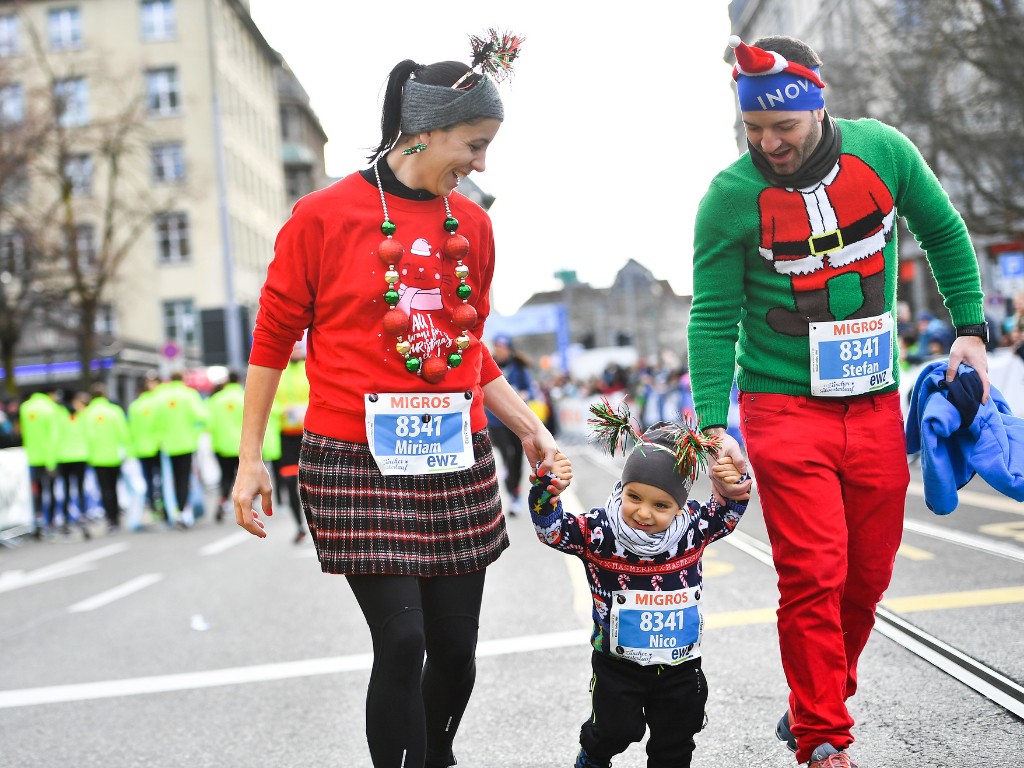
(832, 479)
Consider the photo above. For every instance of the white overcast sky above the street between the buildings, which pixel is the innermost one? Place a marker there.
(616, 120)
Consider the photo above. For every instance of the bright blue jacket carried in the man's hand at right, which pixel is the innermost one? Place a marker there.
(959, 437)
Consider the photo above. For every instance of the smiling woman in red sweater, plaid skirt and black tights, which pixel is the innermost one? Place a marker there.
(391, 271)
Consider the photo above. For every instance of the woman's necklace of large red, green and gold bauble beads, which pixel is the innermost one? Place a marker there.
(397, 322)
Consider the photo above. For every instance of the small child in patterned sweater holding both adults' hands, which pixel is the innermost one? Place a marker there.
(643, 553)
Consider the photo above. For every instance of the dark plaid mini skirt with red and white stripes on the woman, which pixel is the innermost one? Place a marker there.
(364, 523)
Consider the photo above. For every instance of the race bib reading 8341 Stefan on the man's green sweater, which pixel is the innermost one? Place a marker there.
(850, 358)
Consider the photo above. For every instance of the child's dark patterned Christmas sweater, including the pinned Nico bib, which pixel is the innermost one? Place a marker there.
(647, 610)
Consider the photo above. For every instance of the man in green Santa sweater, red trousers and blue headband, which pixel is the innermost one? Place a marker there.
(795, 269)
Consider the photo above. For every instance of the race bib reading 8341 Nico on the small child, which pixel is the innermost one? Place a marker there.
(651, 628)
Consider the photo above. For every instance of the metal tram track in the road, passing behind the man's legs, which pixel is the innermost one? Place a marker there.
(991, 684)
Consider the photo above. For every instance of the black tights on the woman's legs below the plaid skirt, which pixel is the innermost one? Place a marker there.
(414, 708)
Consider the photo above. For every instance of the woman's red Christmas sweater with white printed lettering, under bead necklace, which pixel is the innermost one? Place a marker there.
(326, 277)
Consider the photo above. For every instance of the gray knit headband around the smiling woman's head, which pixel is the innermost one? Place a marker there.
(428, 108)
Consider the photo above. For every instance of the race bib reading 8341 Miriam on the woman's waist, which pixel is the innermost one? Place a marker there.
(416, 435)
